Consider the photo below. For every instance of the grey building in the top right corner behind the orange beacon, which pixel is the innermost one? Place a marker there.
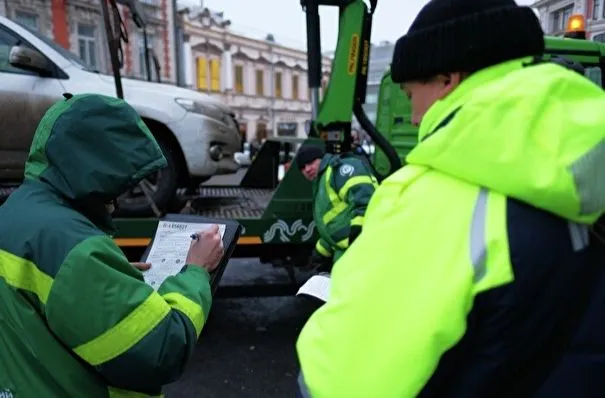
(555, 13)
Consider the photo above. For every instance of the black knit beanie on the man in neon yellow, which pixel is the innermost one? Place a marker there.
(465, 36)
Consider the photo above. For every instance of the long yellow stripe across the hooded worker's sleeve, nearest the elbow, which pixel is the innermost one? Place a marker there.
(126, 333)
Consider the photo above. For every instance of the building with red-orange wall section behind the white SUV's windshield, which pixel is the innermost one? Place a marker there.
(77, 25)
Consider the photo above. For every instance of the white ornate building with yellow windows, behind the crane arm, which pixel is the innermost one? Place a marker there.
(263, 82)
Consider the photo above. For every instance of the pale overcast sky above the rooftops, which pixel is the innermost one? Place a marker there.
(286, 20)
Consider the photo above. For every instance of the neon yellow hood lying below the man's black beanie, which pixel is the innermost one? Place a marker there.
(532, 133)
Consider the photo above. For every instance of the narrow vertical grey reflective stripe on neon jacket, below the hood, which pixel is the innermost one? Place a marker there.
(478, 246)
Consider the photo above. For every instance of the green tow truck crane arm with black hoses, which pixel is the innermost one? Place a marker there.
(346, 90)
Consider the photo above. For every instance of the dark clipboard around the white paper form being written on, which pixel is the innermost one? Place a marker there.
(230, 237)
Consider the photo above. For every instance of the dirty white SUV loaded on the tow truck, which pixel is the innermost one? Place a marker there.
(199, 135)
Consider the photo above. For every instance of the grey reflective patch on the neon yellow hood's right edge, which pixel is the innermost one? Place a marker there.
(587, 172)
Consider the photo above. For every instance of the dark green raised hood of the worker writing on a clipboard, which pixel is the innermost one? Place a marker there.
(92, 148)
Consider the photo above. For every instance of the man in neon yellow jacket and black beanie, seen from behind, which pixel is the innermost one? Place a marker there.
(468, 275)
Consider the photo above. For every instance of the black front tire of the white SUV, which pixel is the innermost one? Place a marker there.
(134, 203)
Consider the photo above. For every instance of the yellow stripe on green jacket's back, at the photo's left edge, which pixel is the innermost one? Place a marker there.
(22, 274)
